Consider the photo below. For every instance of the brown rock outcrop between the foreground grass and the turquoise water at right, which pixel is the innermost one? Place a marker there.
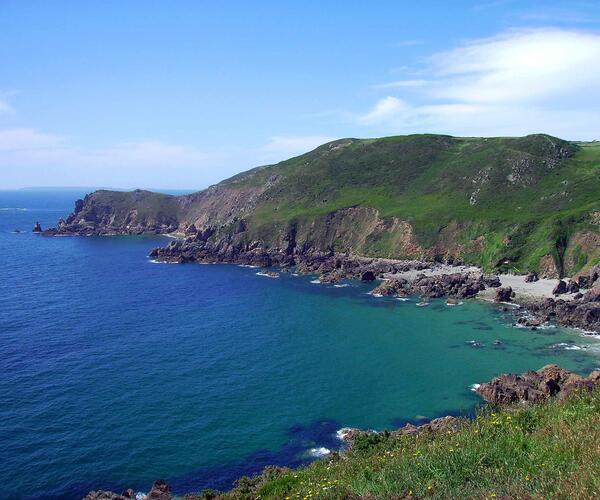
(533, 387)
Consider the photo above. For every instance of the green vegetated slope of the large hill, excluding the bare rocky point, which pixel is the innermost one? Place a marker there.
(483, 200)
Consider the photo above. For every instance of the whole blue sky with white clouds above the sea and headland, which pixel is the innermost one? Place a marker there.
(182, 94)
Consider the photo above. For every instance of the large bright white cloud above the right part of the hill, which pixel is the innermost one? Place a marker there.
(516, 83)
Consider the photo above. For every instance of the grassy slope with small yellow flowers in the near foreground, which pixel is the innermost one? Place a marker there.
(550, 450)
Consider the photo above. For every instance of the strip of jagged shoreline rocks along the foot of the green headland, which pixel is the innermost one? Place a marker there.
(574, 304)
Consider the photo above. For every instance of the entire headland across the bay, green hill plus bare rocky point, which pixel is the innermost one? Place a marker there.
(527, 203)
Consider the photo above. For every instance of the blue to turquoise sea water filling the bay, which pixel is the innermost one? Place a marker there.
(117, 371)
